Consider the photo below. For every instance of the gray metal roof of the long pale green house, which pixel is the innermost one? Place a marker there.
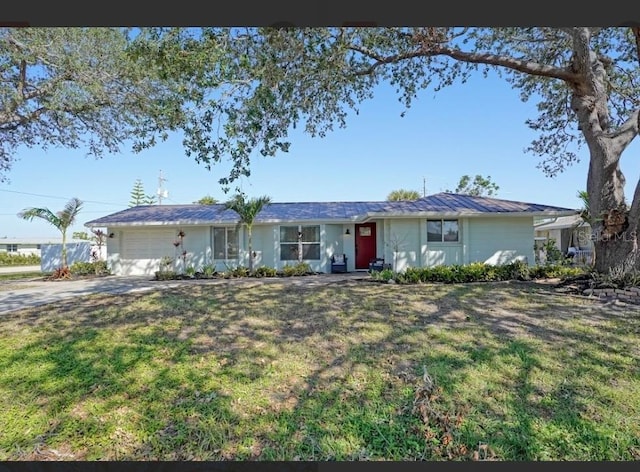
(446, 204)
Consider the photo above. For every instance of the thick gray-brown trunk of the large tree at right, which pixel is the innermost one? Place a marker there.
(614, 224)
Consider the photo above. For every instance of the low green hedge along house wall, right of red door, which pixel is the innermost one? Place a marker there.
(476, 272)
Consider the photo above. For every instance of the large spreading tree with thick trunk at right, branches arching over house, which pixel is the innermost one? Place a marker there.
(585, 82)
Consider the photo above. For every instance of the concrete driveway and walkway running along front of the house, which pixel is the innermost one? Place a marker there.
(27, 293)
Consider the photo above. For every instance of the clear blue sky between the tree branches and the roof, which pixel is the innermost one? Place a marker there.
(473, 128)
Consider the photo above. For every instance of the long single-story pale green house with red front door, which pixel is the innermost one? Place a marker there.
(444, 228)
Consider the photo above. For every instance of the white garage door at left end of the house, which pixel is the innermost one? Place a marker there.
(142, 250)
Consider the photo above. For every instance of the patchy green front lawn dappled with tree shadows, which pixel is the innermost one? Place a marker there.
(272, 371)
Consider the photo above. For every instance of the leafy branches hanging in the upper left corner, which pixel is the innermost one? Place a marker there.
(78, 87)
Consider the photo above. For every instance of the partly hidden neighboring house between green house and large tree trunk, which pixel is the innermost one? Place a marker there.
(571, 235)
